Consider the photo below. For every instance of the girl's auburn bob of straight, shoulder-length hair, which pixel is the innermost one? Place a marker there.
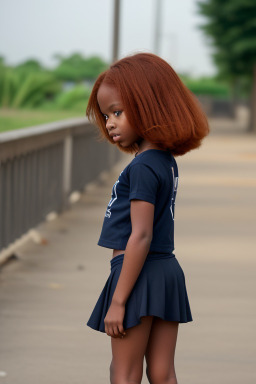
(159, 107)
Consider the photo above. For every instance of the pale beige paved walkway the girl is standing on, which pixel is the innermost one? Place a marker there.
(46, 296)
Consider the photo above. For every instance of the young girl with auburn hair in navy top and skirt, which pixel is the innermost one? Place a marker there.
(142, 107)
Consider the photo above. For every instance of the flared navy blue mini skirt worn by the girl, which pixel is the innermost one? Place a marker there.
(160, 290)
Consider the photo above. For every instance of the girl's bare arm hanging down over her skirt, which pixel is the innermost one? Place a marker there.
(142, 217)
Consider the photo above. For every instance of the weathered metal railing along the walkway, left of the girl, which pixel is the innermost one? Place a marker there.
(41, 166)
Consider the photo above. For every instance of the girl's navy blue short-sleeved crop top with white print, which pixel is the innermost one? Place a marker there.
(151, 176)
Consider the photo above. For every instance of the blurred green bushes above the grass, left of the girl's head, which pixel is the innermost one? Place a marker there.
(30, 85)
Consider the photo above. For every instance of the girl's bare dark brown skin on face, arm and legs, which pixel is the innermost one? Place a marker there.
(153, 338)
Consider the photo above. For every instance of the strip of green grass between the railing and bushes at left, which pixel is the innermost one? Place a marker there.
(11, 119)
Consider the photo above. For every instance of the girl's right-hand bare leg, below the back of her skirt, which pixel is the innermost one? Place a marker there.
(160, 352)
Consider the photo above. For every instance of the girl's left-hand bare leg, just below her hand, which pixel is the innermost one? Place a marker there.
(128, 353)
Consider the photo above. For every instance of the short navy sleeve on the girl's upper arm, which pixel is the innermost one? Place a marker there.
(144, 183)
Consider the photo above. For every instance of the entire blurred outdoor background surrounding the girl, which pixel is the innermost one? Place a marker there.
(56, 178)
